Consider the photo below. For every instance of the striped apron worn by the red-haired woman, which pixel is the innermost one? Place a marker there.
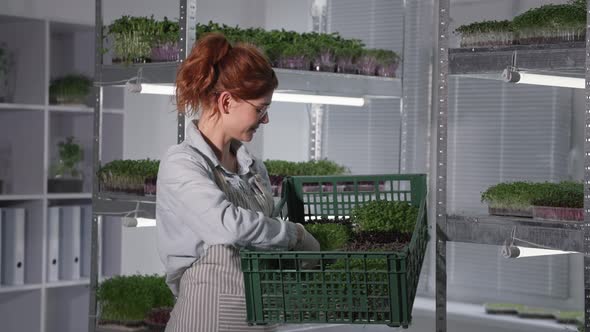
(211, 295)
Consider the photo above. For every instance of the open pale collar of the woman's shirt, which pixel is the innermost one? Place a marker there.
(195, 139)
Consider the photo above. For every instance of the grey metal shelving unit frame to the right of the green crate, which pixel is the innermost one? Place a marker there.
(566, 59)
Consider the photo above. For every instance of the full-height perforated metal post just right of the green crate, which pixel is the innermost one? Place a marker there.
(441, 167)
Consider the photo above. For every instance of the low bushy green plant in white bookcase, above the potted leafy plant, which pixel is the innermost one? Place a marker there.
(70, 89)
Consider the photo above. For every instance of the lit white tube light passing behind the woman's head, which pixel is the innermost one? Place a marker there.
(280, 96)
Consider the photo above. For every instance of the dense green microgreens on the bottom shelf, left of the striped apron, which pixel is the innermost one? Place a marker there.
(130, 298)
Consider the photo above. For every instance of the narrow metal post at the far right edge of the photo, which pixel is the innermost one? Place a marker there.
(586, 227)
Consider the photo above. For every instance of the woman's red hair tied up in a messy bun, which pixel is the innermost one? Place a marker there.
(214, 66)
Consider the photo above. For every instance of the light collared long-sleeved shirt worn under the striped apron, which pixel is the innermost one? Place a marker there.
(193, 213)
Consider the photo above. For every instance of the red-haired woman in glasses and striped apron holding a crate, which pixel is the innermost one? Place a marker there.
(213, 196)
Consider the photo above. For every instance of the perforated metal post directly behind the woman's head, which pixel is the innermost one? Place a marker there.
(188, 36)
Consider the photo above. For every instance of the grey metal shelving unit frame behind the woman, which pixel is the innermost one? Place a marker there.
(109, 204)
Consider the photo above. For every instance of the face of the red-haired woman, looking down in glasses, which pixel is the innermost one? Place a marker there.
(246, 116)
